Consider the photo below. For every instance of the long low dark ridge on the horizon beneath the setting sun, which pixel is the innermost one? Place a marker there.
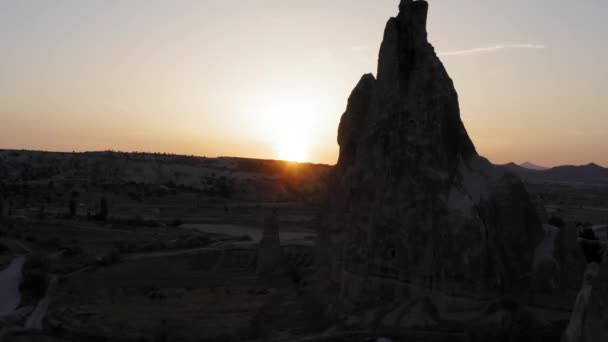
(92, 172)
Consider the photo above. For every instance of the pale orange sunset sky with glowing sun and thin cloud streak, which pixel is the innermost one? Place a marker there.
(270, 78)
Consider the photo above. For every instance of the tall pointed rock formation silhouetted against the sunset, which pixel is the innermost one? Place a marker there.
(413, 209)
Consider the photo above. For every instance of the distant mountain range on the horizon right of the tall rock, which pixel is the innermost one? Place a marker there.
(584, 175)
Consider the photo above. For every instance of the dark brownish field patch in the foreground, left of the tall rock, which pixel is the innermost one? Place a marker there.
(184, 296)
